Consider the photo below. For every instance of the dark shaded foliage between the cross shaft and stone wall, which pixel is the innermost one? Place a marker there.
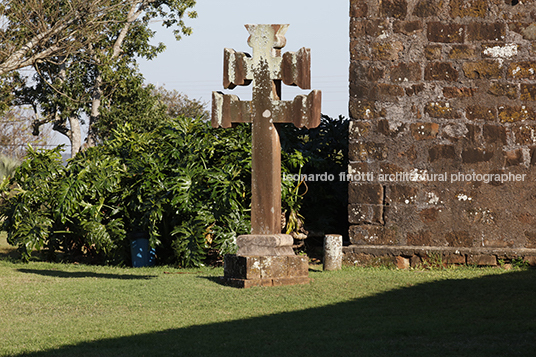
(318, 151)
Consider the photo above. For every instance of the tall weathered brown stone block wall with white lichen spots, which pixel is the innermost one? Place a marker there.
(443, 132)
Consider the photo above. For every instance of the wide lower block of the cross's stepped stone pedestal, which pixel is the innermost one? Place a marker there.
(265, 270)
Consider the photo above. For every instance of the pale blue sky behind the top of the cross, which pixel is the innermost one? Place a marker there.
(194, 65)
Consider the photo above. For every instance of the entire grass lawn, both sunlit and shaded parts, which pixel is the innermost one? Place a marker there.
(77, 310)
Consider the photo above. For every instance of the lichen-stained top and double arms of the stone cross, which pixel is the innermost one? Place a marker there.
(293, 69)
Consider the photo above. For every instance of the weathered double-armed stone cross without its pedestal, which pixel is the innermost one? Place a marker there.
(265, 70)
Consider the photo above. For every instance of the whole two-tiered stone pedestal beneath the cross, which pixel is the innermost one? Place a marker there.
(265, 260)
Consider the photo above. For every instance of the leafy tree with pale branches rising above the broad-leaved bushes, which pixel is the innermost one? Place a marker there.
(89, 77)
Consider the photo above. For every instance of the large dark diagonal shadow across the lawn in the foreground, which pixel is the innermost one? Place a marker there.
(492, 315)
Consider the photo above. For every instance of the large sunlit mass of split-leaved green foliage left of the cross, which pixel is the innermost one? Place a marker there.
(184, 183)
